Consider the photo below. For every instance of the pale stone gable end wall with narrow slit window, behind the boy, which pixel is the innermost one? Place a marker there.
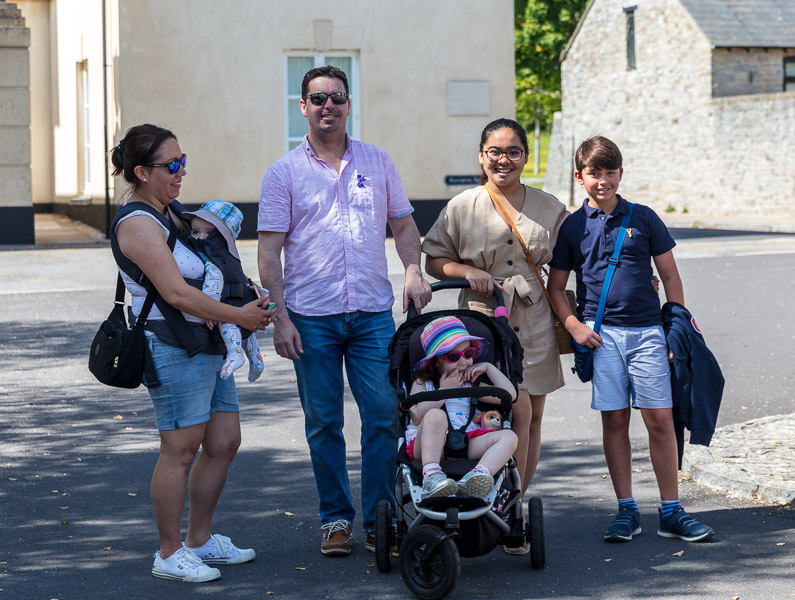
(640, 109)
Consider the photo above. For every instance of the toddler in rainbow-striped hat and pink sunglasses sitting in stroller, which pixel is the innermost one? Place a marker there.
(449, 356)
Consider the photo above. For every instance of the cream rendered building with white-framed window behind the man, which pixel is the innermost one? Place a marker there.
(225, 78)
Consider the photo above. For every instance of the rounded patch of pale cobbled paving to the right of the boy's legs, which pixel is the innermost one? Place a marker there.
(754, 460)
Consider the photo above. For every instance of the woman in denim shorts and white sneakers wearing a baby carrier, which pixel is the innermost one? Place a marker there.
(194, 407)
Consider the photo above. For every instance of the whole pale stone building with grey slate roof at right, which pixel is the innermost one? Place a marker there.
(698, 94)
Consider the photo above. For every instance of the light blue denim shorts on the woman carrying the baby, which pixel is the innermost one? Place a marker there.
(191, 389)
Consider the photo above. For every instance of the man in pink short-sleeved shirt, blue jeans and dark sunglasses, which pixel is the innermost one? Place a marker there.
(327, 204)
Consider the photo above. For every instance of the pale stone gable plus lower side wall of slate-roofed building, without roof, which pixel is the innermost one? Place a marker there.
(683, 149)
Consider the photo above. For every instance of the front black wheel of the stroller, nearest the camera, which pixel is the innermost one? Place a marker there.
(429, 563)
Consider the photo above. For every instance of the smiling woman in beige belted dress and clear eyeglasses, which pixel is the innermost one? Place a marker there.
(472, 239)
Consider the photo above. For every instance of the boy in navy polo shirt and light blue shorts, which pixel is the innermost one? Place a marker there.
(630, 357)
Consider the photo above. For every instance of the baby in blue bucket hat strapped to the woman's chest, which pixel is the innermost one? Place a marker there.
(214, 229)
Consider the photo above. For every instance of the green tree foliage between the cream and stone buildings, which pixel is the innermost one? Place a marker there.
(542, 30)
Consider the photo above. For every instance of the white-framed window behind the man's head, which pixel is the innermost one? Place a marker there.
(296, 65)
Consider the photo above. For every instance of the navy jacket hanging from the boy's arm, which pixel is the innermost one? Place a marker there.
(696, 378)
